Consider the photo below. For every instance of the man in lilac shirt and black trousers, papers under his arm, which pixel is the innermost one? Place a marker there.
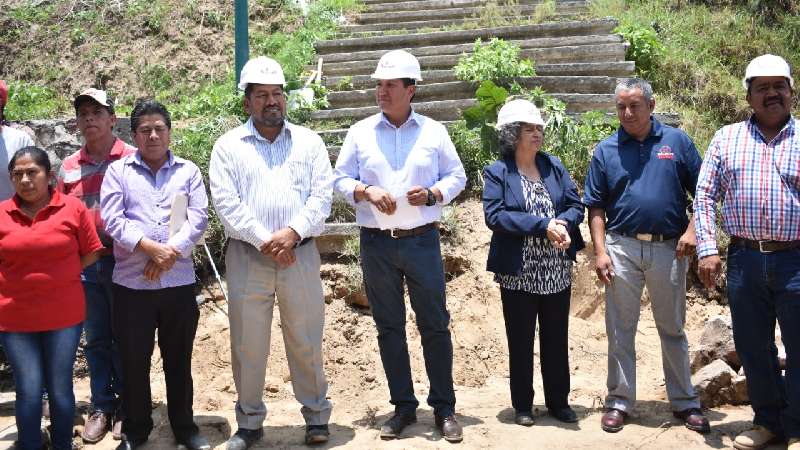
(154, 275)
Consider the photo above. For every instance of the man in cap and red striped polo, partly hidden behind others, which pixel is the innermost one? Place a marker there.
(81, 174)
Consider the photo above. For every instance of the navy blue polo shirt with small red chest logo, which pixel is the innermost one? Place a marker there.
(642, 186)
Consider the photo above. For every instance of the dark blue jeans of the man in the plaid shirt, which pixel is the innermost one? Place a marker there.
(763, 287)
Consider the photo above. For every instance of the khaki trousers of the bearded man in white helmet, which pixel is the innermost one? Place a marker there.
(254, 281)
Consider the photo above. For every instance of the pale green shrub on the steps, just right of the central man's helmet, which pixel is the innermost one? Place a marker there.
(495, 60)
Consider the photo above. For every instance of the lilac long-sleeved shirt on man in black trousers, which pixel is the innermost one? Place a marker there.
(135, 204)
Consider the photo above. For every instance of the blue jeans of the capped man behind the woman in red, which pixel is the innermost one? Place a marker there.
(101, 347)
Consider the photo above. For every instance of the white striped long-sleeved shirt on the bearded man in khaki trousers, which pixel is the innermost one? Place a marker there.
(259, 187)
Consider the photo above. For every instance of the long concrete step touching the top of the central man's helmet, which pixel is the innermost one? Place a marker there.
(458, 49)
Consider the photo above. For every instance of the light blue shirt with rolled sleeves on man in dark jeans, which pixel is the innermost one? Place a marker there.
(418, 153)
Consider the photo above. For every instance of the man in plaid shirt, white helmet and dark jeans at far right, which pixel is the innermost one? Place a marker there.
(753, 168)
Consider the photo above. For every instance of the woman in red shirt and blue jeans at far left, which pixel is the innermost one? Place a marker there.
(45, 240)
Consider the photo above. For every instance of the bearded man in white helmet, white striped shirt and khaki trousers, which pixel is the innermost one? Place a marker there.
(271, 187)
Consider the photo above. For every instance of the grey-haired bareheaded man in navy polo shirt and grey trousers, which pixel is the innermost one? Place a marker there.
(636, 191)
